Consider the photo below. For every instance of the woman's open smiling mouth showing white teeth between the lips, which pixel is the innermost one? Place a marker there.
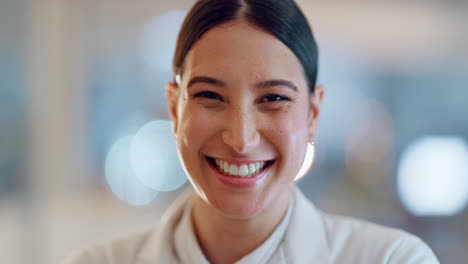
(240, 169)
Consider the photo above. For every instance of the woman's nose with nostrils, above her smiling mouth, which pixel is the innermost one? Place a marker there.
(241, 132)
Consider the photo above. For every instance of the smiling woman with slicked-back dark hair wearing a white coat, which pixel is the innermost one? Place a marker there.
(244, 105)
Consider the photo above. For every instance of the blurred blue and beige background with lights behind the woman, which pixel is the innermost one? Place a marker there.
(82, 83)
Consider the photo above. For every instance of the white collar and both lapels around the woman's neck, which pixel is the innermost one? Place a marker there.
(304, 238)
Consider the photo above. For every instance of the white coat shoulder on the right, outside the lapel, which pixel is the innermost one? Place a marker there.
(347, 235)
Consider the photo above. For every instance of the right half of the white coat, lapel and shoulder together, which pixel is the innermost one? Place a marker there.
(339, 239)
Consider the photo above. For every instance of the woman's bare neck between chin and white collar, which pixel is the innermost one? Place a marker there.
(226, 240)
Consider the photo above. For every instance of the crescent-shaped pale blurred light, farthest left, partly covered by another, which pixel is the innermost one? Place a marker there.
(120, 176)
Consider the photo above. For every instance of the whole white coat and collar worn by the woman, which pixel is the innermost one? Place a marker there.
(306, 235)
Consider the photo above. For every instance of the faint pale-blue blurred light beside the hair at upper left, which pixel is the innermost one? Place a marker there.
(159, 39)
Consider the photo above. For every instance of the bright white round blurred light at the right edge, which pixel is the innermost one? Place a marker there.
(433, 176)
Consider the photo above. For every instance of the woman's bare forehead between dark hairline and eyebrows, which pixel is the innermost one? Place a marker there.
(239, 48)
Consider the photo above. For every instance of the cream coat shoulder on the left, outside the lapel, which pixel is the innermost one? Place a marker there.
(117, 251)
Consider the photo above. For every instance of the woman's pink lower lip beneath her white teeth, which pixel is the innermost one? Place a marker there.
(236, 181)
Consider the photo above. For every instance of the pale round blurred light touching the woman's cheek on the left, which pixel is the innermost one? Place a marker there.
(154, 157)
